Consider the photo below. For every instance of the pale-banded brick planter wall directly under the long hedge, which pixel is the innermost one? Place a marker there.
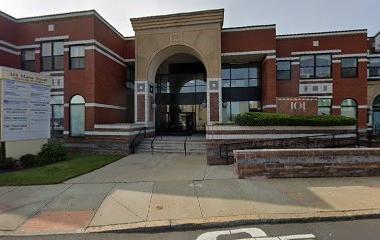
(218, 135)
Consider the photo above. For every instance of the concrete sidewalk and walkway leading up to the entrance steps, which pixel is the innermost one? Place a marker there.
(169, 190)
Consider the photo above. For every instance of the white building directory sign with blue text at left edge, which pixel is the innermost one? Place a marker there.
(25, 105)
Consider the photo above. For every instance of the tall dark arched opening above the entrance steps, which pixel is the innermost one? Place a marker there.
(181, 95)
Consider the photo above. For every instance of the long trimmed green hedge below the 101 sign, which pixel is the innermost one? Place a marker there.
(275, 119)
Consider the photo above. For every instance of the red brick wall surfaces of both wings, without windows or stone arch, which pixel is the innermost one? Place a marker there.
(102, 82)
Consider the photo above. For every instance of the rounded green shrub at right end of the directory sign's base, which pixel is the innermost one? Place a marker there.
(52, 152)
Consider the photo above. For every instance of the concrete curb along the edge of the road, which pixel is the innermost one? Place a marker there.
(234, 221)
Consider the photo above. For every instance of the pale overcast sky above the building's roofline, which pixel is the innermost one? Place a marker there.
(291, 16)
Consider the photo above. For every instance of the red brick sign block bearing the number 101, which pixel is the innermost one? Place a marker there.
(300, 106)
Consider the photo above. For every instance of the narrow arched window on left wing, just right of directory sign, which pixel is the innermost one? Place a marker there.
(77, 116)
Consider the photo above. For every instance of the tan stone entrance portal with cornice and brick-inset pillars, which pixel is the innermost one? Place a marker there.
(162, 38)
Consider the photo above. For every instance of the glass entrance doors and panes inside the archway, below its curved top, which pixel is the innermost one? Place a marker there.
(181, 103)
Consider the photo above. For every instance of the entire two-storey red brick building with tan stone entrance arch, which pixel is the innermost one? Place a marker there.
(184, 71)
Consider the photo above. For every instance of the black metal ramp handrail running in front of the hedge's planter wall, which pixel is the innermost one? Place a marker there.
(281, 142)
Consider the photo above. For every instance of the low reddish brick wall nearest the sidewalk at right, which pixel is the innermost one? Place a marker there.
(293, 163)
